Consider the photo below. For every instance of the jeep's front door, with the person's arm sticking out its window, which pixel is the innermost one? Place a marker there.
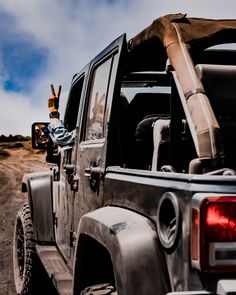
(63, 175)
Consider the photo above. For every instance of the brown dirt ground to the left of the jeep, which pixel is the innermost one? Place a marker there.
(14, 163)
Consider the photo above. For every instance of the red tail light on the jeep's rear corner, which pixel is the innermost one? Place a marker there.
(213, 233)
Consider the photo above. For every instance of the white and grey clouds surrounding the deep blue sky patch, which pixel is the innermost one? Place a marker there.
(75, 31)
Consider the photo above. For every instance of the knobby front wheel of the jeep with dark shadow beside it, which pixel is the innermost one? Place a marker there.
(27, 268)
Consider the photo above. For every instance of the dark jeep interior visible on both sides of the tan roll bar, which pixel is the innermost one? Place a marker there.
(154, 131)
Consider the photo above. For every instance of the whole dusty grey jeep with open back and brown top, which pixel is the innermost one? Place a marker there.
(144, 201)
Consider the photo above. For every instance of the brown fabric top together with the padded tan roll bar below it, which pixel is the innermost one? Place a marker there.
(175, 35)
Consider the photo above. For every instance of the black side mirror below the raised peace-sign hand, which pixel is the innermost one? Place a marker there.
(40, 135)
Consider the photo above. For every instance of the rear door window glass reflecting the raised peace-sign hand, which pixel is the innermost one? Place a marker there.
(97, 101)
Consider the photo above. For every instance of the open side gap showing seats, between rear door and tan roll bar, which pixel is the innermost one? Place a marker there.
(149, 96)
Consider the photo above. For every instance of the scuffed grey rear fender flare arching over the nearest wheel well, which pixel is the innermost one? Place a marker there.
(138, 262)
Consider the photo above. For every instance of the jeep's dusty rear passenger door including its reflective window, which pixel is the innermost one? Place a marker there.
(91, 161)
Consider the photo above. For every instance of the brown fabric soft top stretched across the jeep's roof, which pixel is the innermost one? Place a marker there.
(194, 31)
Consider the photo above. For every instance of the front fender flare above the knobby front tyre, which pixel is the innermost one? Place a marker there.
(39, 188)
